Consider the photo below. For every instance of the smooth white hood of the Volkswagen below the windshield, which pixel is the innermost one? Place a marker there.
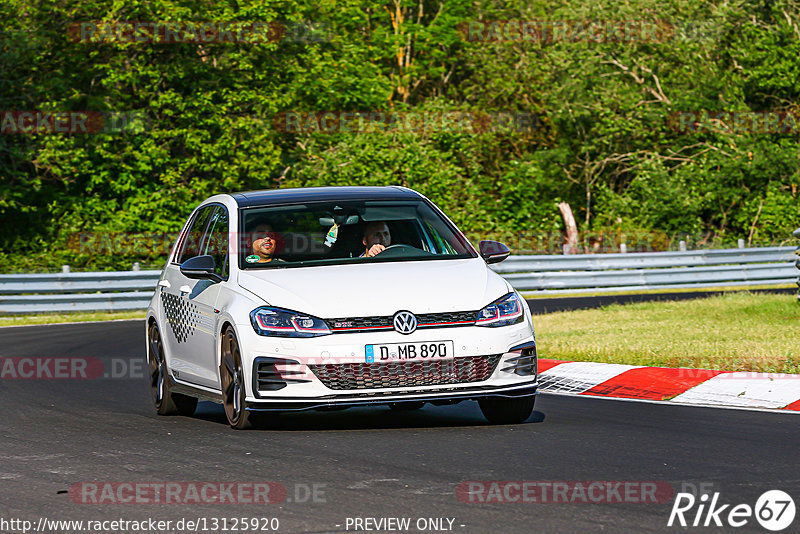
(378, 288)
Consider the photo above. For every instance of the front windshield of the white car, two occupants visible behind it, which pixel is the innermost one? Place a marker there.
(325, 233)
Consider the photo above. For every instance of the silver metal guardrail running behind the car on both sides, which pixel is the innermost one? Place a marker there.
(132, 290)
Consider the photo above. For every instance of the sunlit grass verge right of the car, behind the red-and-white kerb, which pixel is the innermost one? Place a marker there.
(736, 332)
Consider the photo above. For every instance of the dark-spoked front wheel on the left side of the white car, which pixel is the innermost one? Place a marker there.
(231, 379)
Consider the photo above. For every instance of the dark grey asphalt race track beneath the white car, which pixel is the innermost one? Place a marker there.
(370, 462)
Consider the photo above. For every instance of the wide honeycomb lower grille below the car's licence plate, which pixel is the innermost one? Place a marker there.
(406, 374)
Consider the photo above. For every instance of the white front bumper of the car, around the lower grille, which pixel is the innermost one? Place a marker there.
(294, 361)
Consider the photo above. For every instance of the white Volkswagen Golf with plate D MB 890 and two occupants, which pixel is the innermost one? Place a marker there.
(333, 297)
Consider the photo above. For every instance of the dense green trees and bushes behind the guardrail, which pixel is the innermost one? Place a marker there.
(604, 139)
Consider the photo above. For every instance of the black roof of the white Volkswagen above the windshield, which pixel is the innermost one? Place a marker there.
(312, 194)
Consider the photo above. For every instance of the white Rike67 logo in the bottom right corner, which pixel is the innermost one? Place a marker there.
(774, 510)
